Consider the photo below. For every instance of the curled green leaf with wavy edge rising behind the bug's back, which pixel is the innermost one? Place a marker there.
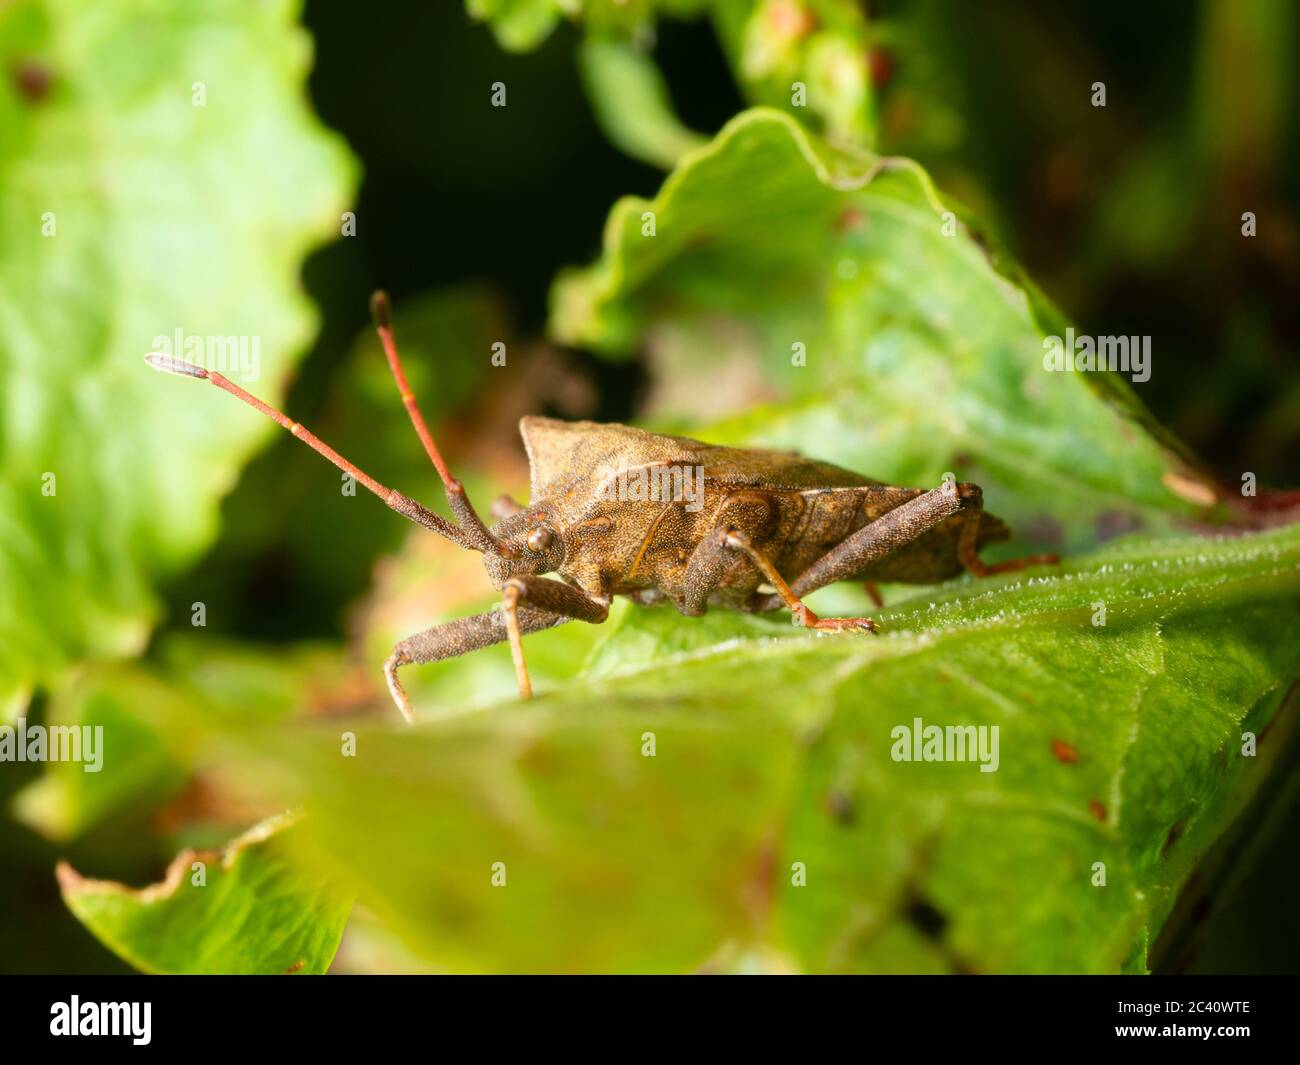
(885, 335)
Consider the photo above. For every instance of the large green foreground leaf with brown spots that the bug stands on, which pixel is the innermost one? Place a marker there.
(1121, 687)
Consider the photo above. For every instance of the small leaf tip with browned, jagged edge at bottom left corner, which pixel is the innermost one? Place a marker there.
(248, 910)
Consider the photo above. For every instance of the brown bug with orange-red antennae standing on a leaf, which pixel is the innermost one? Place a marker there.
(617, 510)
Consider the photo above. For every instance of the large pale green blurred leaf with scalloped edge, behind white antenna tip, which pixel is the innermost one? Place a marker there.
(129, 213)
